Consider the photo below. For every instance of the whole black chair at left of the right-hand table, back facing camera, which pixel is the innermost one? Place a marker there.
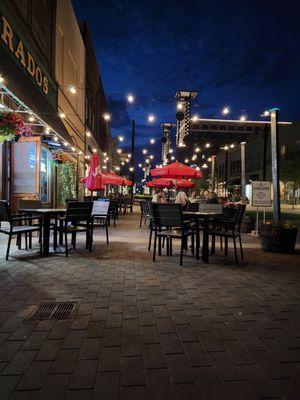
(169, 224)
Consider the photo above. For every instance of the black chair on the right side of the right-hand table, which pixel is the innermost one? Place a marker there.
(229, 228)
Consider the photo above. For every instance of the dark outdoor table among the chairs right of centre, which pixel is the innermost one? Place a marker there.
(203, 218)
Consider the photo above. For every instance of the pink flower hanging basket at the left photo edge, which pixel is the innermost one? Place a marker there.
(12, 127)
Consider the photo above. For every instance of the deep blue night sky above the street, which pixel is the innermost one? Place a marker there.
(240, 53)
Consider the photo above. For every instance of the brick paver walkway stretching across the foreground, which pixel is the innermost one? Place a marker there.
(146, 330)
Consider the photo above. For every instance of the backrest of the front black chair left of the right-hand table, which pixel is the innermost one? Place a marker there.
(167, 214)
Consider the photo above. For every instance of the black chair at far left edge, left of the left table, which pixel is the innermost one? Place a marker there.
(16, 226)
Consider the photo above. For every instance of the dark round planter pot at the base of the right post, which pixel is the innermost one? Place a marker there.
(278, 240)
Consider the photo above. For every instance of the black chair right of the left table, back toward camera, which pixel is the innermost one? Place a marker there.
(78, 219)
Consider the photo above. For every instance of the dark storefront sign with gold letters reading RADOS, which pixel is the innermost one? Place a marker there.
(16, 46)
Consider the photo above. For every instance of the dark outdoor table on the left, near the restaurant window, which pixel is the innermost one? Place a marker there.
(47, 214)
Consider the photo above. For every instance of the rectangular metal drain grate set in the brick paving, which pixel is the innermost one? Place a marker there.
(53, 311)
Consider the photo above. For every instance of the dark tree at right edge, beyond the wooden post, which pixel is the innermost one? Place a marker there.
(290, 172)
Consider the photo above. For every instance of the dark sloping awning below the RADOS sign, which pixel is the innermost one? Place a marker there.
(19, 84)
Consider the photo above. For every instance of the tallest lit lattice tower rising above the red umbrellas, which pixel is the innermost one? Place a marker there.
(184, 98)
